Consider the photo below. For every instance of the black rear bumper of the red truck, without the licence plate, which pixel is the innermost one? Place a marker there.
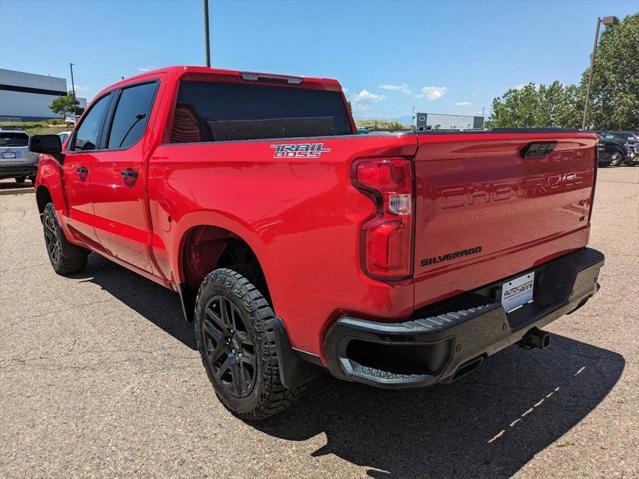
(437, 342)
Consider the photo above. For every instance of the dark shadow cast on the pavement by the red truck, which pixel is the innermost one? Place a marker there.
(488, 424)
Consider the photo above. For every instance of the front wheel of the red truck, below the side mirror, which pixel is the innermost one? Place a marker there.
(65, 257)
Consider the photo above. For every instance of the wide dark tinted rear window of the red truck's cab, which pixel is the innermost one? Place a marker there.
(208, 111)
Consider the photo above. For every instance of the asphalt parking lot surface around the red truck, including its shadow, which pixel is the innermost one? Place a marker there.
(99, 377)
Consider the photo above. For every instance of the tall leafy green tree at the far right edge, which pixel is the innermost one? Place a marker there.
(614, 97)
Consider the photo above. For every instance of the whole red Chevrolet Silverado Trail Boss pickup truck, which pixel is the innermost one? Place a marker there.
(295, 243)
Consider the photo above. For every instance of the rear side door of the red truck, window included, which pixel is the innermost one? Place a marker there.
(118, 176)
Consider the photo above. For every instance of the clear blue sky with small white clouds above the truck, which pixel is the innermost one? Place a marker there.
(439, 56)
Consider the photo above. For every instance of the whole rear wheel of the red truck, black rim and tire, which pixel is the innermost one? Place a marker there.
(236, 338)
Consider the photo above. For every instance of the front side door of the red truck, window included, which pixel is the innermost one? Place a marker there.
(79, 161)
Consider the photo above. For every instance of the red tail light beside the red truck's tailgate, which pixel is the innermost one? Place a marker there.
(387, 236)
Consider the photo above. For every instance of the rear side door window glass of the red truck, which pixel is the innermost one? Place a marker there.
(131, 115)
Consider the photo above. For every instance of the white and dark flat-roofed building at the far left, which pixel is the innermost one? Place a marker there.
(27, 96)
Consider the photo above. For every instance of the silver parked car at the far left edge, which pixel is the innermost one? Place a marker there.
(16, 161)
